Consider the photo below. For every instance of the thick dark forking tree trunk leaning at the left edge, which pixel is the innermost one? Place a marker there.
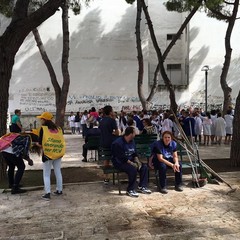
(11, 40)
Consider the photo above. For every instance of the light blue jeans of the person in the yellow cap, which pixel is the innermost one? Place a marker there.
(47, 166)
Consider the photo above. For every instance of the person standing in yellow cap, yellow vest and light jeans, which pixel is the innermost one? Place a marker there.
(53, 146)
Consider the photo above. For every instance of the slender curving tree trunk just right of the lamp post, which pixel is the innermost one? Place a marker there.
(223, 78)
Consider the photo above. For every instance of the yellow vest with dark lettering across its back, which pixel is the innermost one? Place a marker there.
(53, 144)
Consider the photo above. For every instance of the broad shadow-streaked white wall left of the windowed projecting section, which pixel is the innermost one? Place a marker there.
(103, 64)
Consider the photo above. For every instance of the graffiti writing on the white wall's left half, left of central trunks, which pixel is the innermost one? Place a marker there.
(43, 99)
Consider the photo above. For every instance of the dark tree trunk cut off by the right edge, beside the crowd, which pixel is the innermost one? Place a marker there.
(235, 150)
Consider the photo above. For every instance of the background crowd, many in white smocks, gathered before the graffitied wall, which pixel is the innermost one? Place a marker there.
(204, 128)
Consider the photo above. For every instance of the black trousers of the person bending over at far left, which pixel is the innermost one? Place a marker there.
(12, 162)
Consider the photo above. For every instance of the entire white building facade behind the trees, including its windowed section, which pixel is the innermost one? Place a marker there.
(103, 59)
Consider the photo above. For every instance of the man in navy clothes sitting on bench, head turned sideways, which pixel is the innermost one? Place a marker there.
(124, 158)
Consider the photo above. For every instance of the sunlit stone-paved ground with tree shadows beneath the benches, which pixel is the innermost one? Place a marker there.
(95, 211)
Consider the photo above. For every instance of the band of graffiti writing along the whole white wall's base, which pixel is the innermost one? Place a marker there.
(39, 99)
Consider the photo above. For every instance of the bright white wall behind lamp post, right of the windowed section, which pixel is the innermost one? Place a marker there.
(207, 48)
